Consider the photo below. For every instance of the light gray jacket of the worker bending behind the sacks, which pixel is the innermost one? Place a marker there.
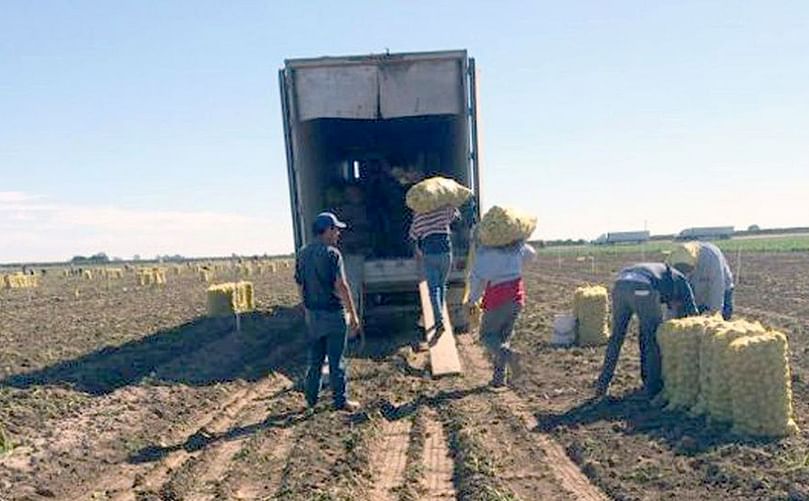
(710, 278)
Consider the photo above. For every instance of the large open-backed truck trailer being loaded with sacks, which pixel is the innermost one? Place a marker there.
(379, 123)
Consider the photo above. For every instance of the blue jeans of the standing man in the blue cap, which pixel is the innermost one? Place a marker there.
(328, 332)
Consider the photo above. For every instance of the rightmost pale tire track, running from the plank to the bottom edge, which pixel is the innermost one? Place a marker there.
(566, 472)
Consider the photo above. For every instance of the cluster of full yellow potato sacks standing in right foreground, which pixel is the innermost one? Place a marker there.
(732, 372)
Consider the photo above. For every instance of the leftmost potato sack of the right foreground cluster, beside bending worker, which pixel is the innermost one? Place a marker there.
(680, 341)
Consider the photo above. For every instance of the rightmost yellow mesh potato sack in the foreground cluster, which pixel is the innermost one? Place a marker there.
(761, 388)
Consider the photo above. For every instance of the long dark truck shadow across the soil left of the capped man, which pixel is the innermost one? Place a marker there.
(201, 352)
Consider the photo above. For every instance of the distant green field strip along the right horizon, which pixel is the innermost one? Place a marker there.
(780, 243)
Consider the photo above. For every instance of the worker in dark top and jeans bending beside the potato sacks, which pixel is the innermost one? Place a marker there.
(640, 290)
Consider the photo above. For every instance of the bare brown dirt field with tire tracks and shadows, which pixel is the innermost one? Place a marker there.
(112, 391)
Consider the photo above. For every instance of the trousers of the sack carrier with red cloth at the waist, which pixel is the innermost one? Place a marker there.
(496, 329)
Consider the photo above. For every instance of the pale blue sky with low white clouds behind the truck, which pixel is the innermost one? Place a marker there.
(145, 127)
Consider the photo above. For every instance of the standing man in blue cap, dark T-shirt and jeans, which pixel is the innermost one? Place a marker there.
(325, 293)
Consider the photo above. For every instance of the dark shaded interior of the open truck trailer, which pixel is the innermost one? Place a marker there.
(362, 169)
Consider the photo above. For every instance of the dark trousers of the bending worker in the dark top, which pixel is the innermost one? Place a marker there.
(637, 298)
